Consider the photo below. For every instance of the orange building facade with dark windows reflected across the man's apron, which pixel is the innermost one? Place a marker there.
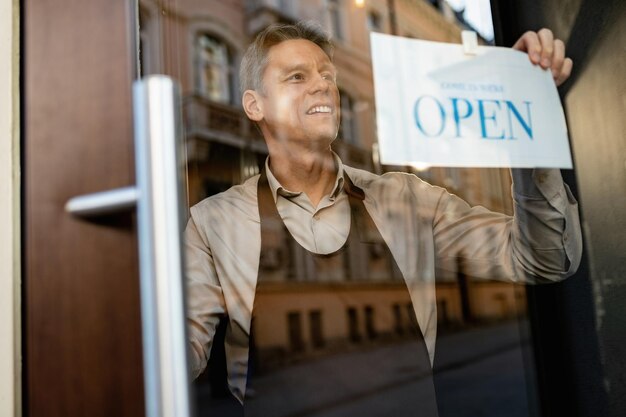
(314, 317)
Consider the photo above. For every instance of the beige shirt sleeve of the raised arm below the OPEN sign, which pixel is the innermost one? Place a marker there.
(542, 242)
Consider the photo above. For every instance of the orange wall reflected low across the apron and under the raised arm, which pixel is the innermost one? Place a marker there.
(489, 301)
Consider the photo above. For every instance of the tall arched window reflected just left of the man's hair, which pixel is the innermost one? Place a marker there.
(214, 69)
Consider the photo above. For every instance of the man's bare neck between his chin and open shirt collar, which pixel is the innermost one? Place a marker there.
(310, 171)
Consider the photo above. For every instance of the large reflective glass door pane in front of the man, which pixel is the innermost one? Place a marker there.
(362, 298)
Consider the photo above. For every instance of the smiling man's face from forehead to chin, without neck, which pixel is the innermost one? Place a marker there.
(300, 99)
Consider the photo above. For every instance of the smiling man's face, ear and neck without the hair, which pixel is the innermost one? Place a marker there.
(297, 110)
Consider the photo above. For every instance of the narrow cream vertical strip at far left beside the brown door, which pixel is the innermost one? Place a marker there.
(10, 337)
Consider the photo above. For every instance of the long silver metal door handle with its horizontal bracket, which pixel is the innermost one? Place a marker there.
(158, 196)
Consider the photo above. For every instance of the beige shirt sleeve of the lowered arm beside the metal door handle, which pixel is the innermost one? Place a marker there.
(205, 300)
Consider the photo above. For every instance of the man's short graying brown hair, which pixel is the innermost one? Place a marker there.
(255, 59)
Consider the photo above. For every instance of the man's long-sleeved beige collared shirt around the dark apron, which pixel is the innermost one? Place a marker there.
(425, 227)
